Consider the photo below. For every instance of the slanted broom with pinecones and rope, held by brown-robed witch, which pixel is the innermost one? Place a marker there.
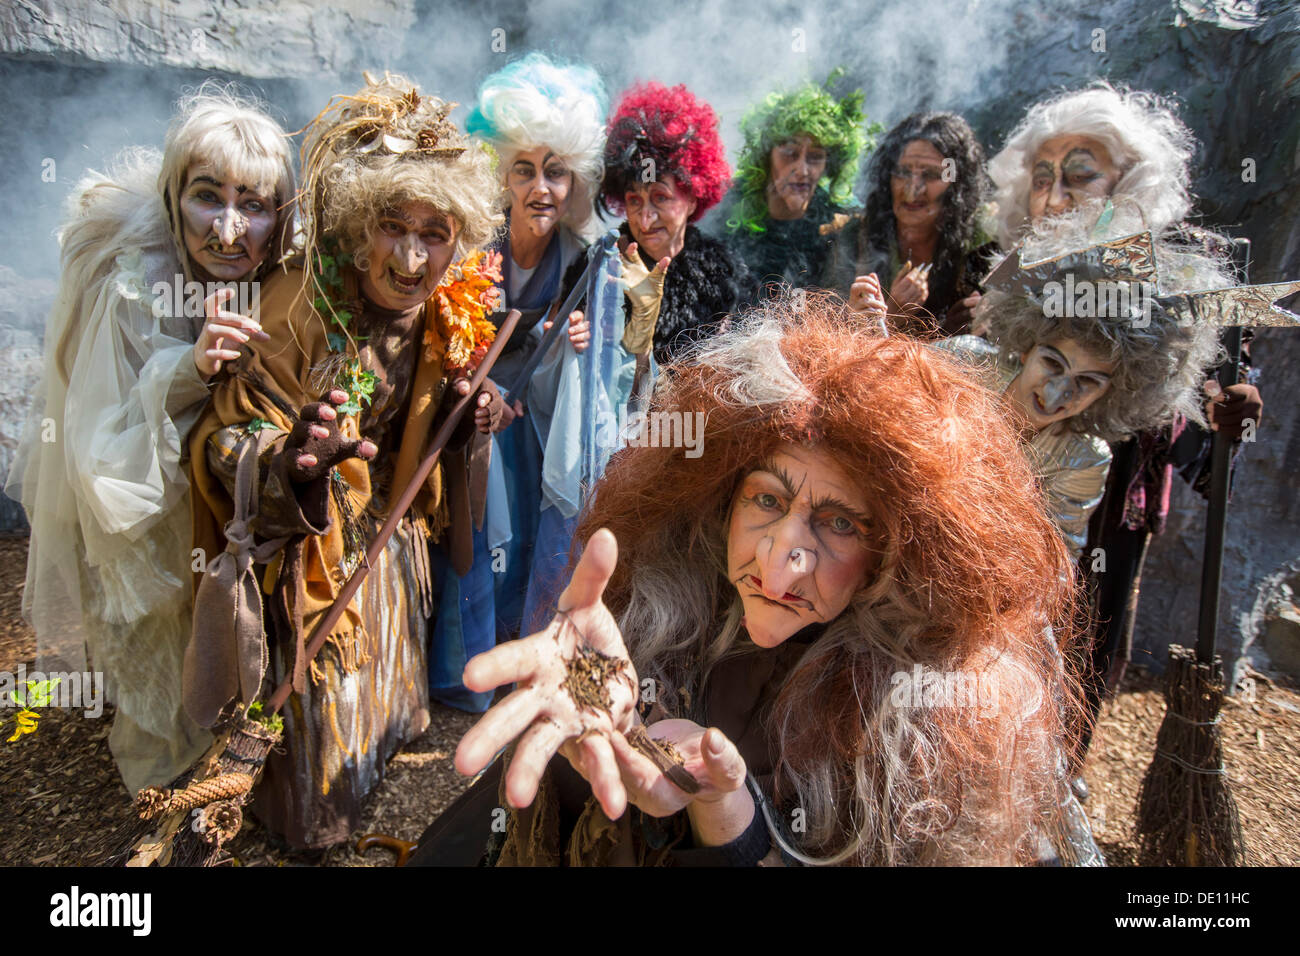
(188, 824)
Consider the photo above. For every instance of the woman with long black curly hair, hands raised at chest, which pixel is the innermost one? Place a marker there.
(920, 240)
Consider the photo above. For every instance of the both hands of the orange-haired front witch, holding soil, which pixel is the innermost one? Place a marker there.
(577, 695)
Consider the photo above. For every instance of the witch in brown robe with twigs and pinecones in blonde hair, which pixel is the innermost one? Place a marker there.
(310, 439)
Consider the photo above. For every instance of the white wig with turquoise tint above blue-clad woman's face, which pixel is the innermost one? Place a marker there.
(536, 102)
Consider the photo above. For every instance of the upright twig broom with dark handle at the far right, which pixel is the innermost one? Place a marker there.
(1186, 814)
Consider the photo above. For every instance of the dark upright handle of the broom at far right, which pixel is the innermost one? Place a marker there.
(1221, 462)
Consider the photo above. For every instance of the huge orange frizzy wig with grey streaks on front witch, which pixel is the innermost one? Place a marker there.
(974, 585)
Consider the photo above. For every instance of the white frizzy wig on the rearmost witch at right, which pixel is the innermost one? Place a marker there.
(1143, 135)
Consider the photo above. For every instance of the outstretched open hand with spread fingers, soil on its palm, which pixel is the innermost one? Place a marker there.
(543, 712)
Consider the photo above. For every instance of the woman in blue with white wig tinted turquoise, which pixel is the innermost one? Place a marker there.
(547, 123)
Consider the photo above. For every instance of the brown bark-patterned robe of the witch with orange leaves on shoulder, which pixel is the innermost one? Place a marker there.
(367, 691)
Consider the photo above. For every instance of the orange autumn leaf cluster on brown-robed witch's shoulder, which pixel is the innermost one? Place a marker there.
(465, 300)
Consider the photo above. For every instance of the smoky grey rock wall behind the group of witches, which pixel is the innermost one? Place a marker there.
(84, 80)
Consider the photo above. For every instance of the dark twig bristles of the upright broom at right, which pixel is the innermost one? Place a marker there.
(1186, 812)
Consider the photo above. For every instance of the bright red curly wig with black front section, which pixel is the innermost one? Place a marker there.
(678, 133)
